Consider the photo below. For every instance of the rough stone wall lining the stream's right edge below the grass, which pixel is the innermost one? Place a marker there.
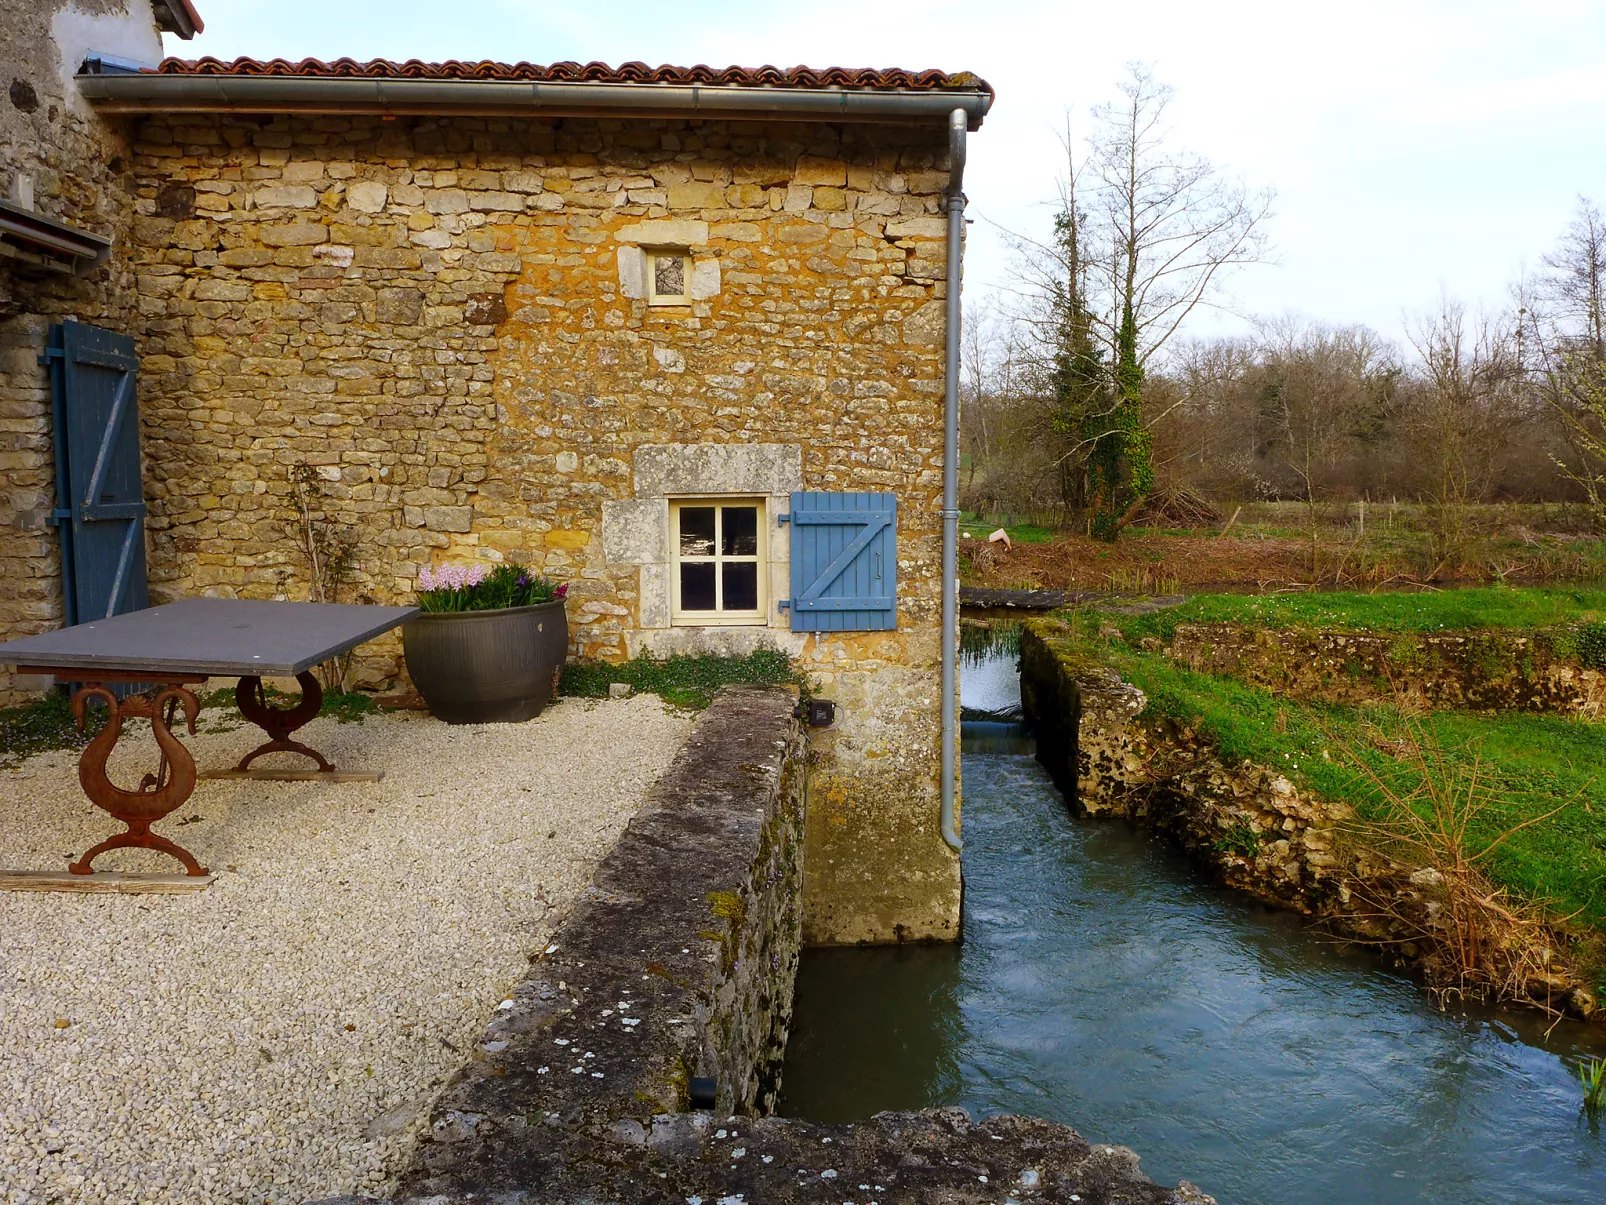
(1249, 825)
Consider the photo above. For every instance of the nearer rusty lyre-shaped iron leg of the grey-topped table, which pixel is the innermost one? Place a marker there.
(160, 793)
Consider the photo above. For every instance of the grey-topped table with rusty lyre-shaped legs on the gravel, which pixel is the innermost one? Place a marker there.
(173, 648)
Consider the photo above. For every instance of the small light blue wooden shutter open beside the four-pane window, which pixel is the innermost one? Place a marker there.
(844, 562)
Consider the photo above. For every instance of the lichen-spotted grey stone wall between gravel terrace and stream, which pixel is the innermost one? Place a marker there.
(680, 963)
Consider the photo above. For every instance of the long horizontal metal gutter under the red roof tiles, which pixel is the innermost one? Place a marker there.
(150, 92)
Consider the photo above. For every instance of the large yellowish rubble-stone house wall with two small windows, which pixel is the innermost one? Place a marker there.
(444, 321)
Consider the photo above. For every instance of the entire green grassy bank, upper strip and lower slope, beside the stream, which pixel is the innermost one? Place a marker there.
(1527, 767)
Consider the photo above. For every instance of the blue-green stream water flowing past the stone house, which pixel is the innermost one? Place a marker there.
(1104, 984)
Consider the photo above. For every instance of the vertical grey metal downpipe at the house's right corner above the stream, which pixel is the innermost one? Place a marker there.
(956, 229)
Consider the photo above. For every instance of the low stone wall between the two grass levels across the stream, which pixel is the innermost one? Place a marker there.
(1496, 671)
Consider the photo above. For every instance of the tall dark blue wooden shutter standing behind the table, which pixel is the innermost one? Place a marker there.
(100, 497)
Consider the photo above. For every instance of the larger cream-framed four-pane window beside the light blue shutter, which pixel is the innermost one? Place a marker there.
(719, 562)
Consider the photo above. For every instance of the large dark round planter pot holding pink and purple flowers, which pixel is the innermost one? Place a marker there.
(481, 668)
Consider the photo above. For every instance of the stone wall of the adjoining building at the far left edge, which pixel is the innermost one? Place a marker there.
(67, 163)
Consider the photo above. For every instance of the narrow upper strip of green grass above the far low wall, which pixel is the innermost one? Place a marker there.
(1427, 611)
